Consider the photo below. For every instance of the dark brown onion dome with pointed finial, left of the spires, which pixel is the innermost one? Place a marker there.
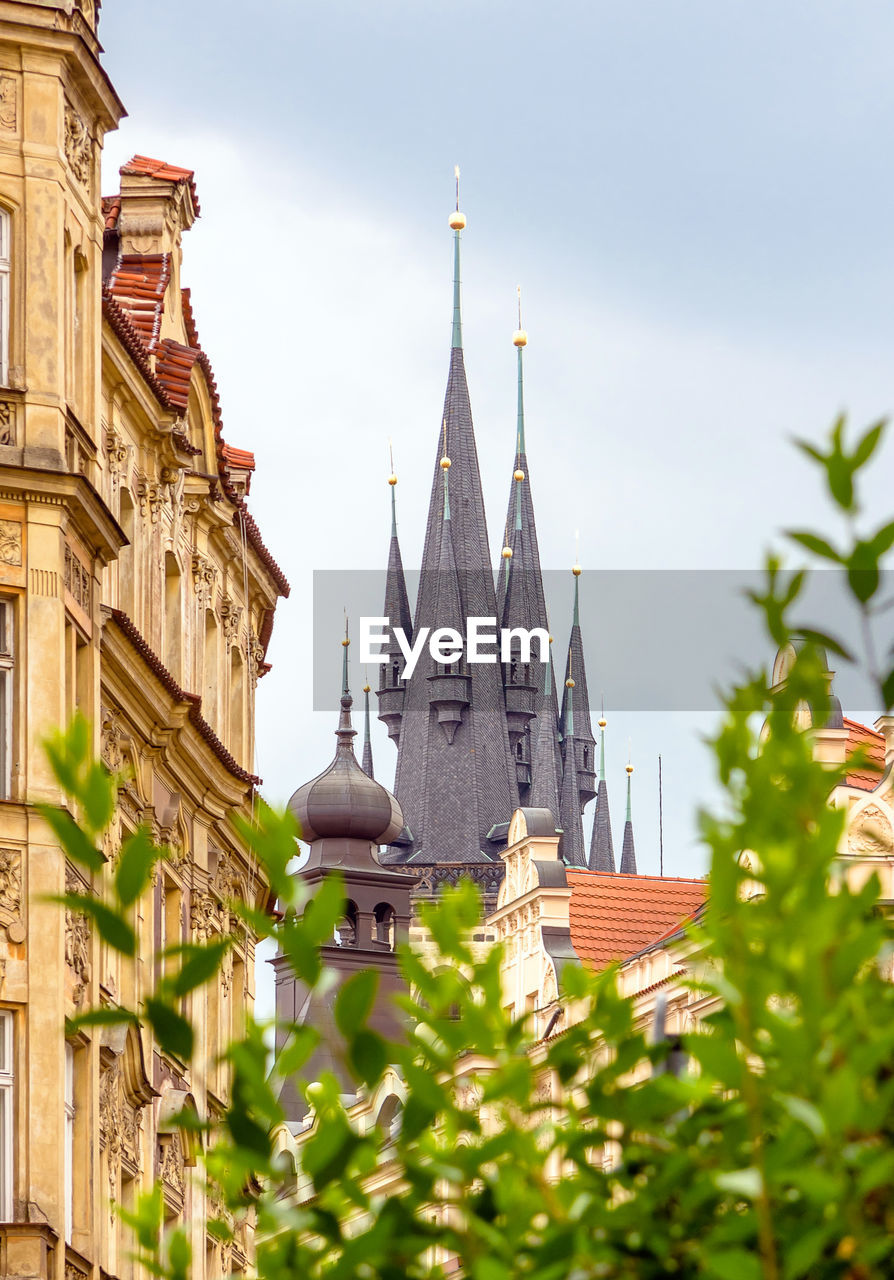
(343, 802)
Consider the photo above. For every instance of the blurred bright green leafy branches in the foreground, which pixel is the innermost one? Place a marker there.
(769, 1155)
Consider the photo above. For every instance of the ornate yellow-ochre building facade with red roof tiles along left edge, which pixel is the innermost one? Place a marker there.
(135, 589)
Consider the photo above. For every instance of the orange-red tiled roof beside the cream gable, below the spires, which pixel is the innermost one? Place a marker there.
(614, 916)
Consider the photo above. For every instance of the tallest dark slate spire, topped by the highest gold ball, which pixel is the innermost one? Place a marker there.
(455, 793)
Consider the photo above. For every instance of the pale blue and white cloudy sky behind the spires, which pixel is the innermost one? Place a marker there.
(697, 200)
